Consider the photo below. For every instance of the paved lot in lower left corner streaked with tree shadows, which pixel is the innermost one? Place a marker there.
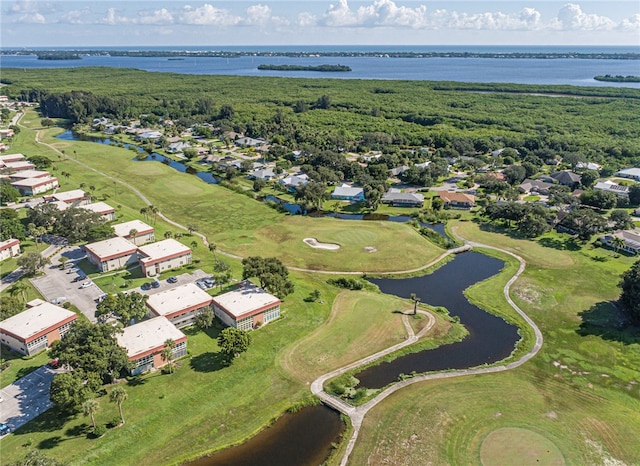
(27, 397)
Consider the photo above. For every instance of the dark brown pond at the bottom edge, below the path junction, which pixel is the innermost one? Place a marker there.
(300, 439)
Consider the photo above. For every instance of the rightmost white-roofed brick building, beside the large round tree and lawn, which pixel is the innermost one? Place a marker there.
(246, 308)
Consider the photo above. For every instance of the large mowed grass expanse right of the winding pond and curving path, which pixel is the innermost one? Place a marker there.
(580, 392)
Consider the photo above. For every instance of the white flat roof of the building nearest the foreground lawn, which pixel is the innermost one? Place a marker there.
(147, 336)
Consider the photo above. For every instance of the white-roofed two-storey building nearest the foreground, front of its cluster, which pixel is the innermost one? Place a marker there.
(144, 343)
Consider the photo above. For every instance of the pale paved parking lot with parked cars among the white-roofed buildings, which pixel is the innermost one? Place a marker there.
(58, 283)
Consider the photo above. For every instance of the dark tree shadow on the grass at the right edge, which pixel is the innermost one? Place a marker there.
(605, 320)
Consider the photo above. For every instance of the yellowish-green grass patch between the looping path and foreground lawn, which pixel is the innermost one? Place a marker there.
(361, 323)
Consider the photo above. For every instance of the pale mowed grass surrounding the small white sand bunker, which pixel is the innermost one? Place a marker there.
(398, 246)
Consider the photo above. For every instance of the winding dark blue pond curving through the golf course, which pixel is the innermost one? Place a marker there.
(490, 338)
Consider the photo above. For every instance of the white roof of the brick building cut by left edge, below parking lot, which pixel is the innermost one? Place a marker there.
(35, 320)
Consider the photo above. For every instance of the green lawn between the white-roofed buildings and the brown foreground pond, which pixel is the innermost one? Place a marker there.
(201, 407)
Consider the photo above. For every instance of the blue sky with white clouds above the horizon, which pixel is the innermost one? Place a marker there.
(33, 23)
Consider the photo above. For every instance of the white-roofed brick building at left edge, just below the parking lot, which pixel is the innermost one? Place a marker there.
(35, 329)
